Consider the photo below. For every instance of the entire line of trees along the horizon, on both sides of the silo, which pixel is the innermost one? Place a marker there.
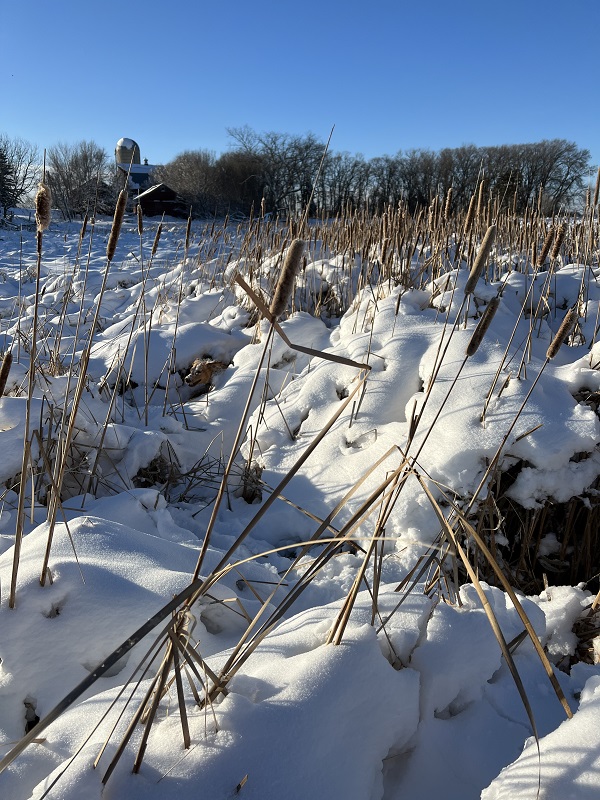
(284, 173)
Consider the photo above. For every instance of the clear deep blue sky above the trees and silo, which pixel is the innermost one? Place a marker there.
(390, 75)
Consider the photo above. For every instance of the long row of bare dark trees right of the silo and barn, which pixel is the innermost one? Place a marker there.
(286, 173)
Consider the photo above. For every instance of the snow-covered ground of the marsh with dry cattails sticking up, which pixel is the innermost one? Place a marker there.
(400, 691)
